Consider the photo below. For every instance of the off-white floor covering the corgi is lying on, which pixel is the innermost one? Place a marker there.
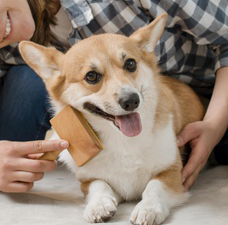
(57, 200)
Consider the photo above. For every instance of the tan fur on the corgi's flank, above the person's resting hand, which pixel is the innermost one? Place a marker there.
(174, 95)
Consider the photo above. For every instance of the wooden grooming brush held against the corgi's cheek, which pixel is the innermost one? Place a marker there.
(71, 125)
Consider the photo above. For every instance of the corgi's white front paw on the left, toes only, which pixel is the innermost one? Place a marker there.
(100, 209)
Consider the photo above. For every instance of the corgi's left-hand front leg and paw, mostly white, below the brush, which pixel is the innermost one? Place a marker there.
(102, 201)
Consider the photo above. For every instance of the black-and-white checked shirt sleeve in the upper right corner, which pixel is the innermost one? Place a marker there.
(206, 22)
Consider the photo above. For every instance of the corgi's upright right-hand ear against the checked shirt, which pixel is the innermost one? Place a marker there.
(148, 36)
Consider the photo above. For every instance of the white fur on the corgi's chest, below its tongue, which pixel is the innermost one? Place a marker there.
(127, 164)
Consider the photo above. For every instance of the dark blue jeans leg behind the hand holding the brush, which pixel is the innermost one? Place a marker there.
(24, 106)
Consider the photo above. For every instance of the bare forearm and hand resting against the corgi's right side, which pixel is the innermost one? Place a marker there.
(204, 135)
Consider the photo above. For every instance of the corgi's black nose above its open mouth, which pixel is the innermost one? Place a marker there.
(130, 103)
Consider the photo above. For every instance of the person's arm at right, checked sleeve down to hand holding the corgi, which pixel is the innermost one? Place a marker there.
(209, 28)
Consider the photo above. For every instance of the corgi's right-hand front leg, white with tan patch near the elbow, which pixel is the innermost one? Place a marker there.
(161, 194)
